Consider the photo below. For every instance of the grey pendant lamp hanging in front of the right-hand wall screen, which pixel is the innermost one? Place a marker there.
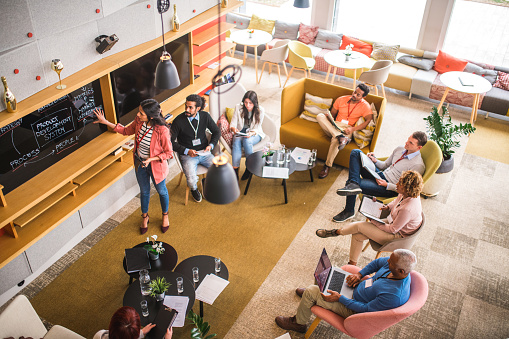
(166, 73)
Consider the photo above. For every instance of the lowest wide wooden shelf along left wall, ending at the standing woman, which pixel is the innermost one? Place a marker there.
(52, 217)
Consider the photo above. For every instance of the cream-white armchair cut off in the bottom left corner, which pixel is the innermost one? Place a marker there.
(20, 319)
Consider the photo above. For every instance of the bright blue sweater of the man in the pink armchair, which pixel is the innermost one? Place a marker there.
(383, 294)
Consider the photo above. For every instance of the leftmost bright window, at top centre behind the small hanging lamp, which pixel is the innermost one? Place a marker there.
(278, 10)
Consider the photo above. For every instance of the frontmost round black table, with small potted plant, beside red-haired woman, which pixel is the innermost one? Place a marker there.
(133, 296)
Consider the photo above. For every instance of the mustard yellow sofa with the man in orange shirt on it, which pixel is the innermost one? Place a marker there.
(297, 132)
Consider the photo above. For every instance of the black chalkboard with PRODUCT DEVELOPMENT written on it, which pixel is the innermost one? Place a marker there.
(33, 143)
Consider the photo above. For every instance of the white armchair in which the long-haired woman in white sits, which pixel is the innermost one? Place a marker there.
(231, 95)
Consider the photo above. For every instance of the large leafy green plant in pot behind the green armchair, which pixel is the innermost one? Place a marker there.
(442, 131)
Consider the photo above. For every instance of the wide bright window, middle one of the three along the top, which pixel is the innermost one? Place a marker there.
(390, 21)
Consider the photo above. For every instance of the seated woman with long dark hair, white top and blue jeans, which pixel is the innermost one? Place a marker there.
(248, 118)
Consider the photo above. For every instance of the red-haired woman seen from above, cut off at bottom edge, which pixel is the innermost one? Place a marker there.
(125, 324)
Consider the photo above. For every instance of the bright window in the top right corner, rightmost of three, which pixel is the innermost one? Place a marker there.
(479, 32)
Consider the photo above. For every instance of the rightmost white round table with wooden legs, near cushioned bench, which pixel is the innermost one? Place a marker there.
(470, 83)
